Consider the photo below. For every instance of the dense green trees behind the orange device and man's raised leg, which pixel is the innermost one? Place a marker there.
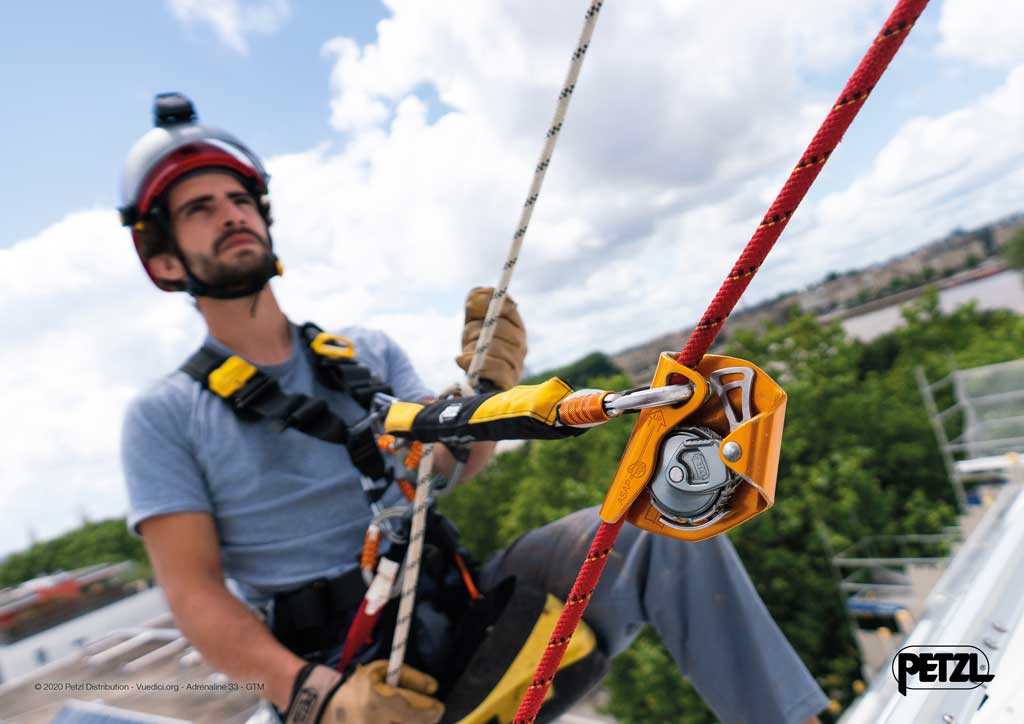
(859, 459)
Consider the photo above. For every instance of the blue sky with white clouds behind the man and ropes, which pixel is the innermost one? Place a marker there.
(402, 137)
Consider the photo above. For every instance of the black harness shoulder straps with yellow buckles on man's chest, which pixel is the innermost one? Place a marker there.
(253, 394)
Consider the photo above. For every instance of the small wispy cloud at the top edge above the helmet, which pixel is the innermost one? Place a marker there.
(234, 20)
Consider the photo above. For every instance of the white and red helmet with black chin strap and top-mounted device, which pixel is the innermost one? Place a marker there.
(179, 147)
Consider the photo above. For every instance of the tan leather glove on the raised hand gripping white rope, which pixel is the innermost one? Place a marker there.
(503, 365)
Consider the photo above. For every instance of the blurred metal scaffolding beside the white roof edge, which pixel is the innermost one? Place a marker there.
(885, 581)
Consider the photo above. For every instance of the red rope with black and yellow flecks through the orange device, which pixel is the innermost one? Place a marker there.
(830, 135)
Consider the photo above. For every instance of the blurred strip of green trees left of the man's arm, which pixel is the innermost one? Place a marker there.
(104, 542)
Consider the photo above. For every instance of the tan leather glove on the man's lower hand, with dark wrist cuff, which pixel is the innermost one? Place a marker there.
(321, 698)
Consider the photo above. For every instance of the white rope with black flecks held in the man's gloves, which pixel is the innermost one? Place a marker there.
(420, 504)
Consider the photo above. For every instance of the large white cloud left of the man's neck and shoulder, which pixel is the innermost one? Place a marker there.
(89, 334)
